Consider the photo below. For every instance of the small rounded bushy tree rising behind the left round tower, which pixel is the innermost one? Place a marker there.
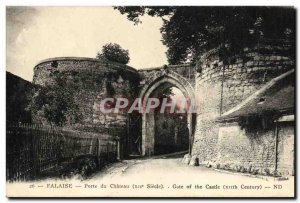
(114, 52)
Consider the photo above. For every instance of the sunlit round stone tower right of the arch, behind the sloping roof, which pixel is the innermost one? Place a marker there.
(222, 85)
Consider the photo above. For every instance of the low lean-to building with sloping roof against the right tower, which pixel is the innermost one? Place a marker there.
(257, 135)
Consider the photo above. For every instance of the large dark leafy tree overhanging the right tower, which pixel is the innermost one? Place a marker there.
(190, 31)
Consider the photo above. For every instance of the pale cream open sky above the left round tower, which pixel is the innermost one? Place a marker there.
(36, 33)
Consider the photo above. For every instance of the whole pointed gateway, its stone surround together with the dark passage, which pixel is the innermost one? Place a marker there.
(153, 135)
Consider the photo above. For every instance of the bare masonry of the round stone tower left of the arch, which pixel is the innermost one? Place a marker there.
(91, 80)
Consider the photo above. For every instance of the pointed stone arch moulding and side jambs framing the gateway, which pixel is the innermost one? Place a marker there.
(153, 89)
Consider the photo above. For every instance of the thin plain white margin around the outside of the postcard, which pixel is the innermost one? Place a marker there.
(4, 3)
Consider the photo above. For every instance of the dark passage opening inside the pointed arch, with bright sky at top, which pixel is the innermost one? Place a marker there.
(171, 133)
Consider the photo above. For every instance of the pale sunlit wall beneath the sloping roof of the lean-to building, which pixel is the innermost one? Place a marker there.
(254, 151)
